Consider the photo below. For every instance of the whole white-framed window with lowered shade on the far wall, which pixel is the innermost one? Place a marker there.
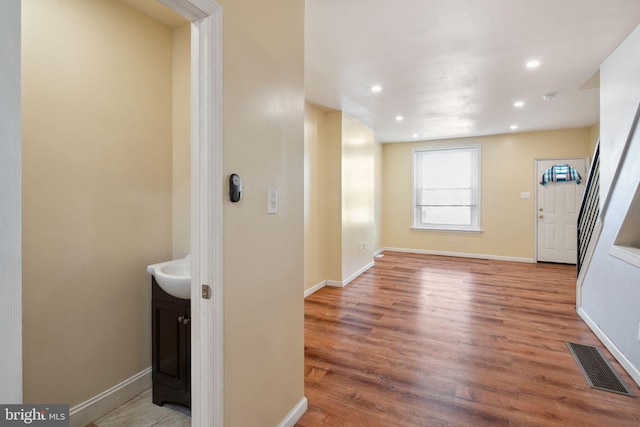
(447, 189)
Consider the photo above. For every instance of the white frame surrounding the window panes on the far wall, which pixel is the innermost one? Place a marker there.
(475, 225)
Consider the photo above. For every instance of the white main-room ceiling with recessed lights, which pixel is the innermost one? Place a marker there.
(454, 68)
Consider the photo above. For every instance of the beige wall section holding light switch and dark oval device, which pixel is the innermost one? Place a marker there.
(263, 254)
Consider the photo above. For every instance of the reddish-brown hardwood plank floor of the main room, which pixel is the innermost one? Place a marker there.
(438, 341)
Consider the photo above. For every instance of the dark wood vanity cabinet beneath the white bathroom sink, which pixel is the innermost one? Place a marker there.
(171, 346)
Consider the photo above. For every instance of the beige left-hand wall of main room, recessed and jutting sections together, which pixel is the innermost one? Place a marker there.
(341, 156)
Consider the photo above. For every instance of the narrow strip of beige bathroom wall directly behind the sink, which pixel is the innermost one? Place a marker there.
(181, 134)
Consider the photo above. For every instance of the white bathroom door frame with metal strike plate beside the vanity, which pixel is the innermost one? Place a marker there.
(206, 208)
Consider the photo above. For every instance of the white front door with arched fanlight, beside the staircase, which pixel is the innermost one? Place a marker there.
(557, 209)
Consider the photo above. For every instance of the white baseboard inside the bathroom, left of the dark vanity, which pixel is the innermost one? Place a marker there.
(86, 412)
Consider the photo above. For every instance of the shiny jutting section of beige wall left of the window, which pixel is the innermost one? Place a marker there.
(357, 196)
